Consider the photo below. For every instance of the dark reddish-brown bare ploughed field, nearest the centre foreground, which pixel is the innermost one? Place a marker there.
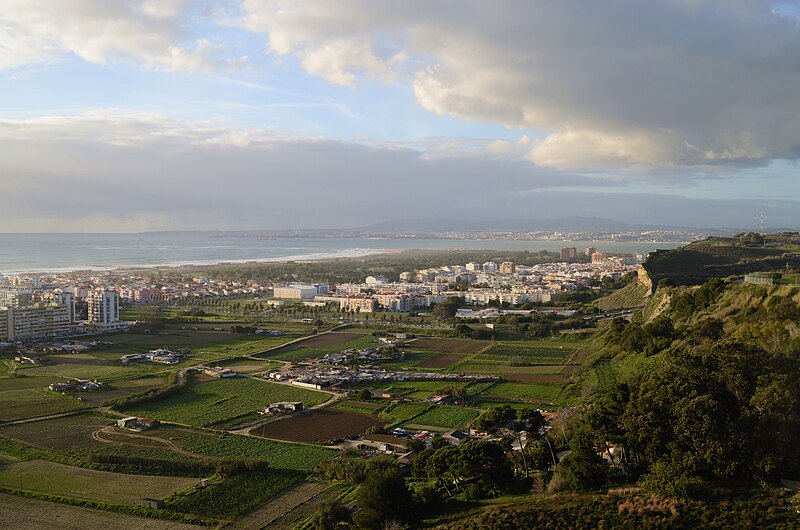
(319, 426)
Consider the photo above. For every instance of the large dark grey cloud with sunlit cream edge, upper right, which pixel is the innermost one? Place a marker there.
(617, 85)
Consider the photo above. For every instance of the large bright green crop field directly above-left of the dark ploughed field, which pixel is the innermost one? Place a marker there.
(224, 399)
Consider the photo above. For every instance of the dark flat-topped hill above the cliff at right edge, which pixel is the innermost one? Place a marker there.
(718, 257)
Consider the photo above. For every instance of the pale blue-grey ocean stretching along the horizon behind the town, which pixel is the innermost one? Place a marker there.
(21, 253)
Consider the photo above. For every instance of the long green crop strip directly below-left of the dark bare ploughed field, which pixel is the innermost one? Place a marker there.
(279, 455)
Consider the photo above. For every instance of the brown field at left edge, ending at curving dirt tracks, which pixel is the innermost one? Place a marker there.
(64, 434)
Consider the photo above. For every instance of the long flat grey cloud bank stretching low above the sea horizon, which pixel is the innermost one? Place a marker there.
(135, 170)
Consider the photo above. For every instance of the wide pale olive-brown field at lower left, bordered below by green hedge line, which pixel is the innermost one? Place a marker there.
(50, 477)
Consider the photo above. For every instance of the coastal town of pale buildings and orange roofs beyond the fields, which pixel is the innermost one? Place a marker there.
(37, 306)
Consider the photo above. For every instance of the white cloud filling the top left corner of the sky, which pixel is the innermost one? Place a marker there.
(154, 34)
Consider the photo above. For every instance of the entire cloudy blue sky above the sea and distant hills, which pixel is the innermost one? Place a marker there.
(137, 115)
